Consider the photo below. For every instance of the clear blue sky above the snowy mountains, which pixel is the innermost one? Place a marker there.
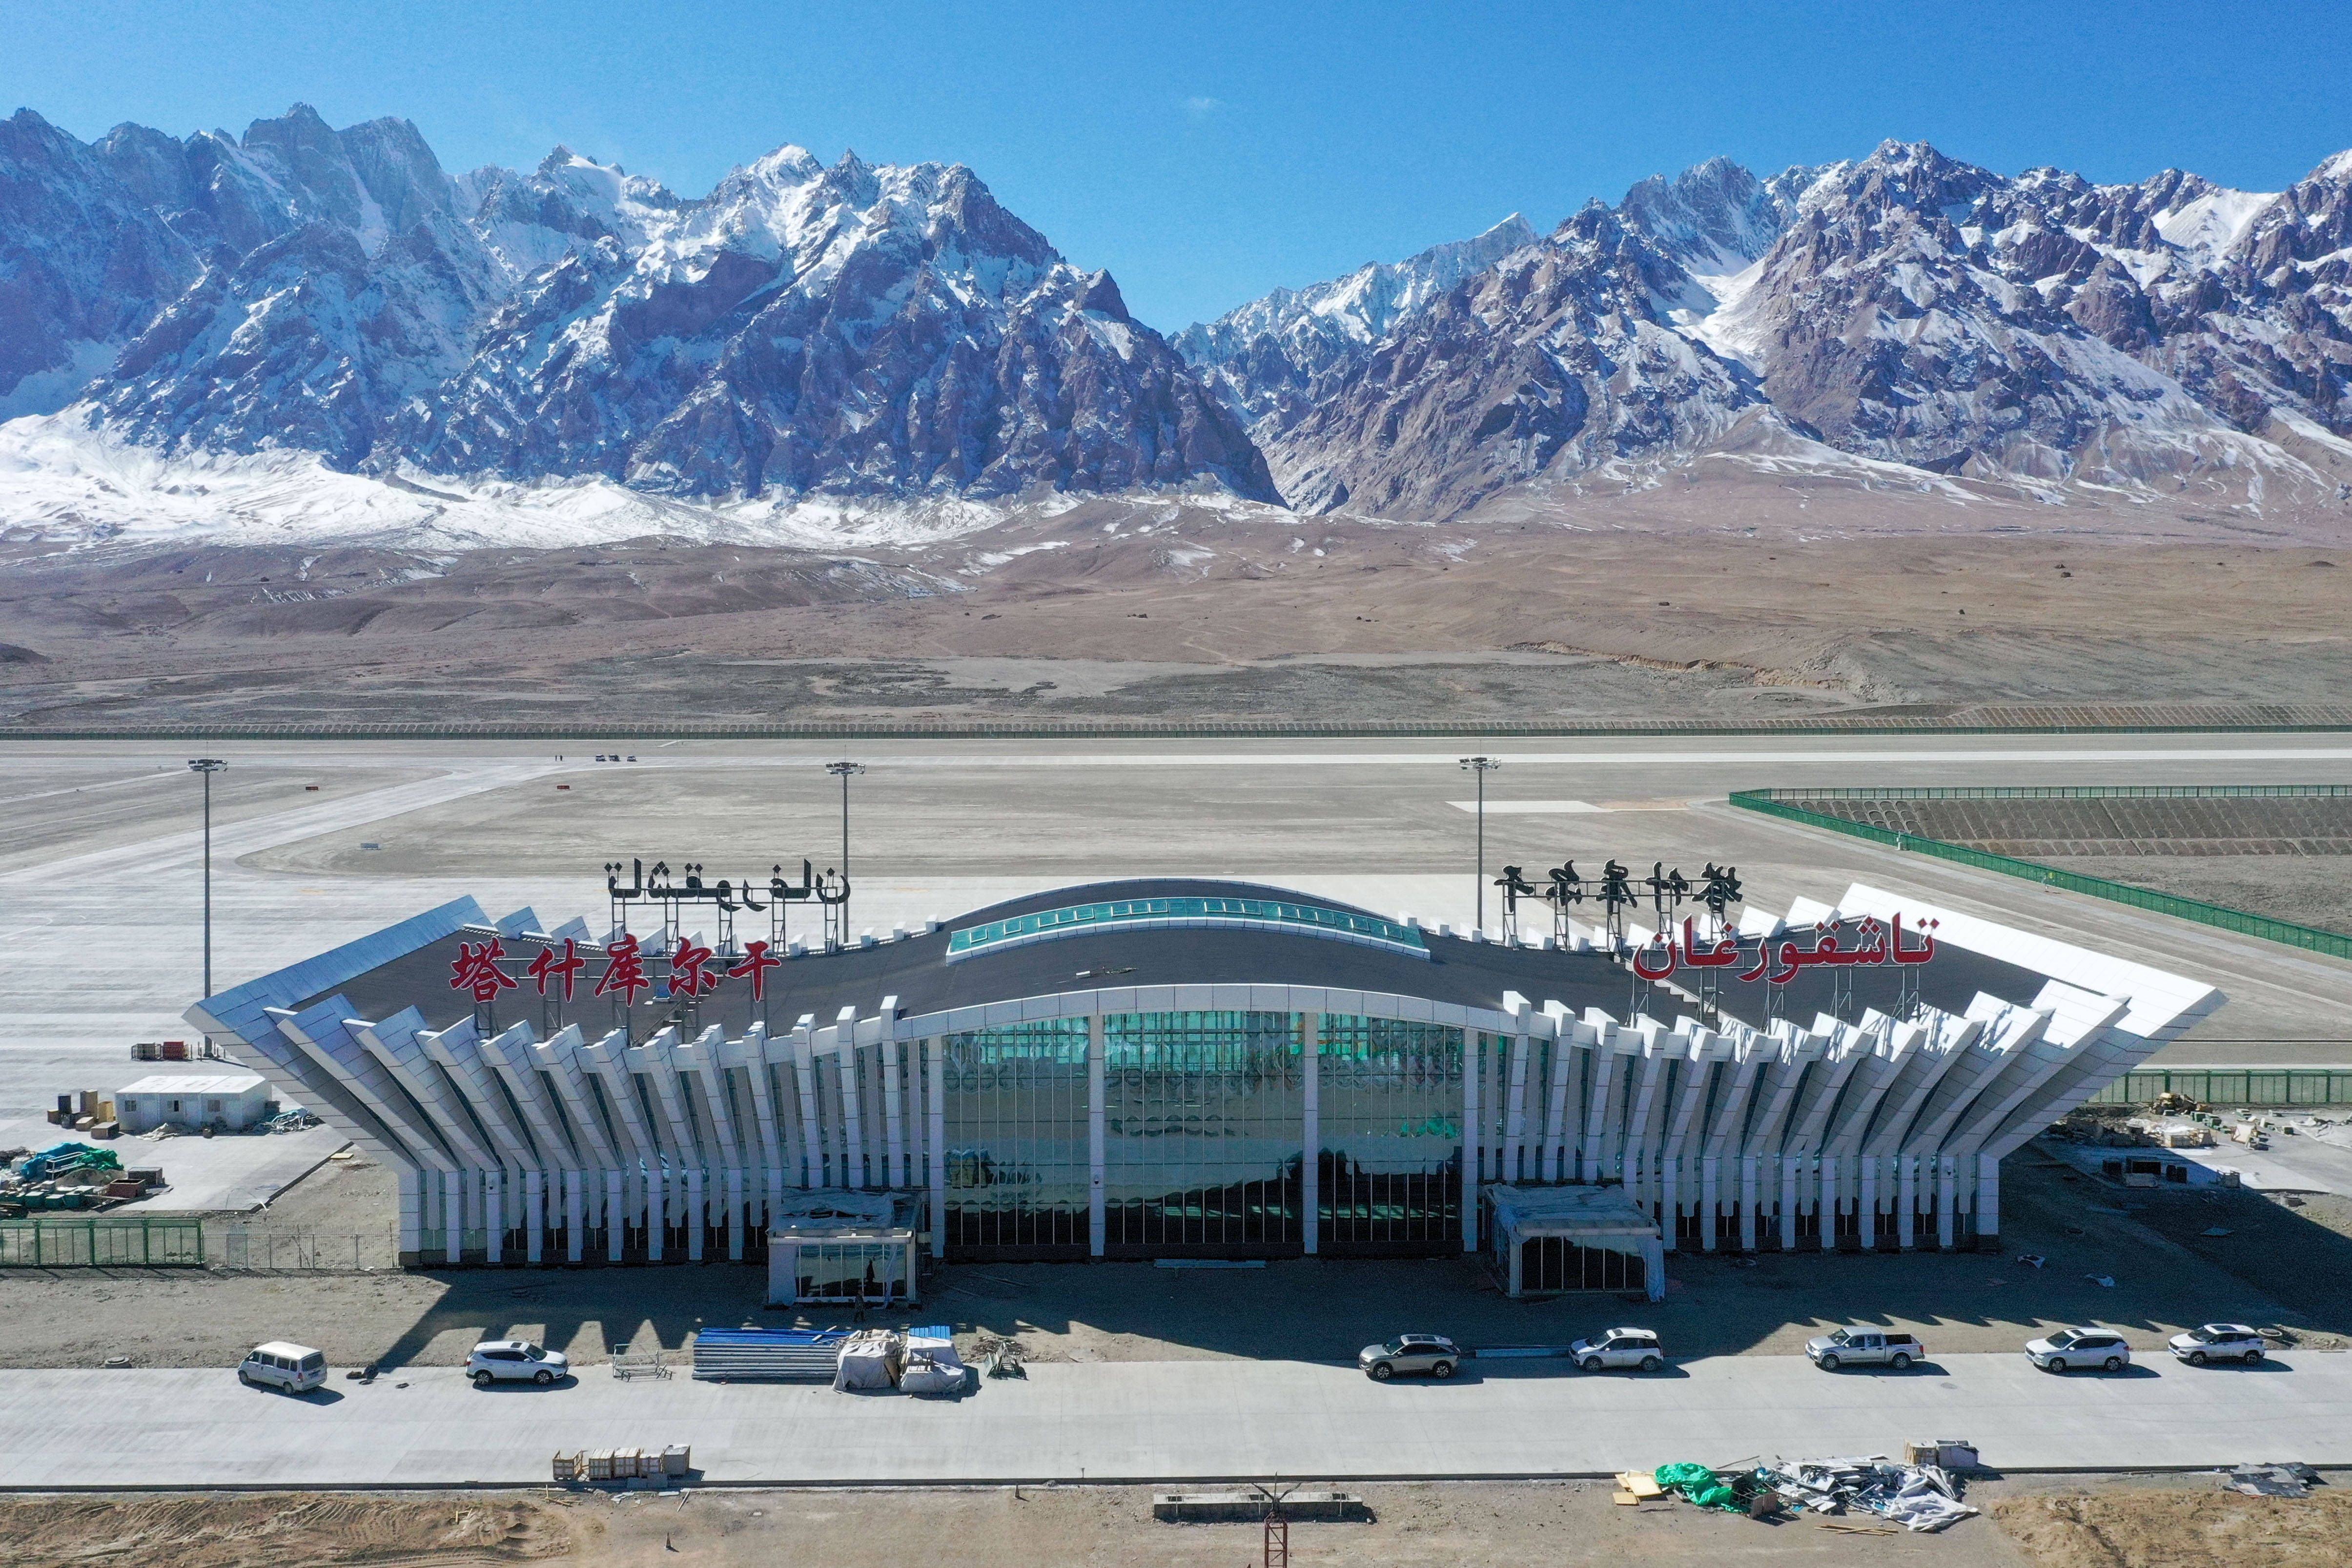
(1208, 154)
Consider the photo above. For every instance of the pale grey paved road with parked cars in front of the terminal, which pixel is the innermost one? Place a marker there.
(1165, 1421)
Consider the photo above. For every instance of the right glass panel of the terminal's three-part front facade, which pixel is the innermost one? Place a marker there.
(1391, 1104)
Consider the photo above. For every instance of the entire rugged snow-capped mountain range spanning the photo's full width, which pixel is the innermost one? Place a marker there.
(218, 323)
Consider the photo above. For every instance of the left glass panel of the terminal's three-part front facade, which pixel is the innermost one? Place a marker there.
(1017, 1141)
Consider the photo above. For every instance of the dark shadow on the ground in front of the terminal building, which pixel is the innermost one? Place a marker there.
(2276, 1268)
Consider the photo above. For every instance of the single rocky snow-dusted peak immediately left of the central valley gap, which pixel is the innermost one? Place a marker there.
(867, 330)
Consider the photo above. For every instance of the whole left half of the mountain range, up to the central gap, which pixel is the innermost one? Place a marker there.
(796, 333)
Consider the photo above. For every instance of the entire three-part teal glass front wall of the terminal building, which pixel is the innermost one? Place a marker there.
(1205, 1137)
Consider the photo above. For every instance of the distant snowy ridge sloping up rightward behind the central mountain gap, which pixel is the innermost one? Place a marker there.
(1267, 356)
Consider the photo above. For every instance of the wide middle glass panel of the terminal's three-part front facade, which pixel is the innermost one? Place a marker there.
(1203, 1123)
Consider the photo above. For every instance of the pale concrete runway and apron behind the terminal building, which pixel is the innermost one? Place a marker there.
(102, 894)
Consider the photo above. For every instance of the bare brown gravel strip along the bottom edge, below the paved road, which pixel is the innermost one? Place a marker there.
(2040, 1522)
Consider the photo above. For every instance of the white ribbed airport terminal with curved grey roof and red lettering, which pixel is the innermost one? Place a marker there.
(1184, 1068)
